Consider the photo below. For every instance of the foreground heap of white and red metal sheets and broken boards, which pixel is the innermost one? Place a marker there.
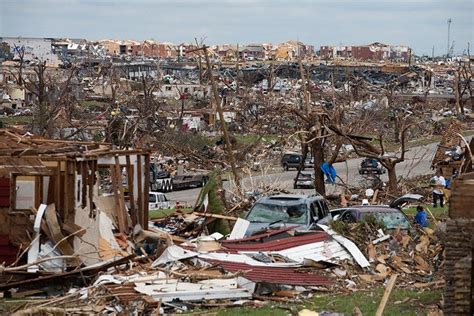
(208, 271)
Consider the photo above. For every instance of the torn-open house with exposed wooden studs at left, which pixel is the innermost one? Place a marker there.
(68, 197)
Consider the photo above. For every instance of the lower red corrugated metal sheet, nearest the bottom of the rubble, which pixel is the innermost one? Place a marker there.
(274, 275)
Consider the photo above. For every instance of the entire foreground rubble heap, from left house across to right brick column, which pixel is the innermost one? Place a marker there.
(166, 269)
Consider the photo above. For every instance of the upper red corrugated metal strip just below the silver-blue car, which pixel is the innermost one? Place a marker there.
(277, 244)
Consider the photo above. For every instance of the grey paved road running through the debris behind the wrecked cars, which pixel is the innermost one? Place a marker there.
(417, 162)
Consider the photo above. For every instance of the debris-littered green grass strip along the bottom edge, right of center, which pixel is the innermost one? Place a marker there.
(401, 302)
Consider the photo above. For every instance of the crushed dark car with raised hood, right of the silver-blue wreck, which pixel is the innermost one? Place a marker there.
(391, 215)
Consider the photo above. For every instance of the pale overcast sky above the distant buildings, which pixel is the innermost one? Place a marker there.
(421, 24)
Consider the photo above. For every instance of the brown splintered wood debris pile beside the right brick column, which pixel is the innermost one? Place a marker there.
(416, 257)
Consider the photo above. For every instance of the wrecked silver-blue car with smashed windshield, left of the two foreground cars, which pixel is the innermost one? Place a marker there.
(285, 210)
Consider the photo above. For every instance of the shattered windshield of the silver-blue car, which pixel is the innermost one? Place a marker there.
(269, 213)
